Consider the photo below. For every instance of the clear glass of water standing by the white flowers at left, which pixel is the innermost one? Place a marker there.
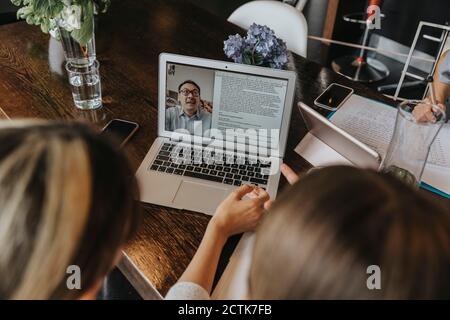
(85, 85)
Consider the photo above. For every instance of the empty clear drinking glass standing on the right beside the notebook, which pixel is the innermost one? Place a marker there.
(416, 127)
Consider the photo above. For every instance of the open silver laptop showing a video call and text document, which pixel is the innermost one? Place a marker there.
(220, 125)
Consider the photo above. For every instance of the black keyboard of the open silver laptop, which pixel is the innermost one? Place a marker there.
(202, 163)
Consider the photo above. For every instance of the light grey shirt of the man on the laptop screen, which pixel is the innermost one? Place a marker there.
(177, 119)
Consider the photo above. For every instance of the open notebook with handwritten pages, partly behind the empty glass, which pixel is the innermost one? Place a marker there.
(373, 123)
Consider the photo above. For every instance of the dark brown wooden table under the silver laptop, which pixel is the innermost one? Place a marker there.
(129, 39)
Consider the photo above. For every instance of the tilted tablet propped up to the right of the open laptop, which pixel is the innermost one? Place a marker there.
(353, 150)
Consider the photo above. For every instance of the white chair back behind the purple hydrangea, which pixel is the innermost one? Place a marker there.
(288, 23)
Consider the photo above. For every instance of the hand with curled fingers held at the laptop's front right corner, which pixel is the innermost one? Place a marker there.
(237, 214)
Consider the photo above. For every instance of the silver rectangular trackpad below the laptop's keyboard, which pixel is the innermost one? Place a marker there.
(199, 197)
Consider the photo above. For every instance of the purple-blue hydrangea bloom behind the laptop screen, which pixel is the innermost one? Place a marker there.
(260, 47)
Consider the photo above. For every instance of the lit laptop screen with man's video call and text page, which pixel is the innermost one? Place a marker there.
(203, 102)
